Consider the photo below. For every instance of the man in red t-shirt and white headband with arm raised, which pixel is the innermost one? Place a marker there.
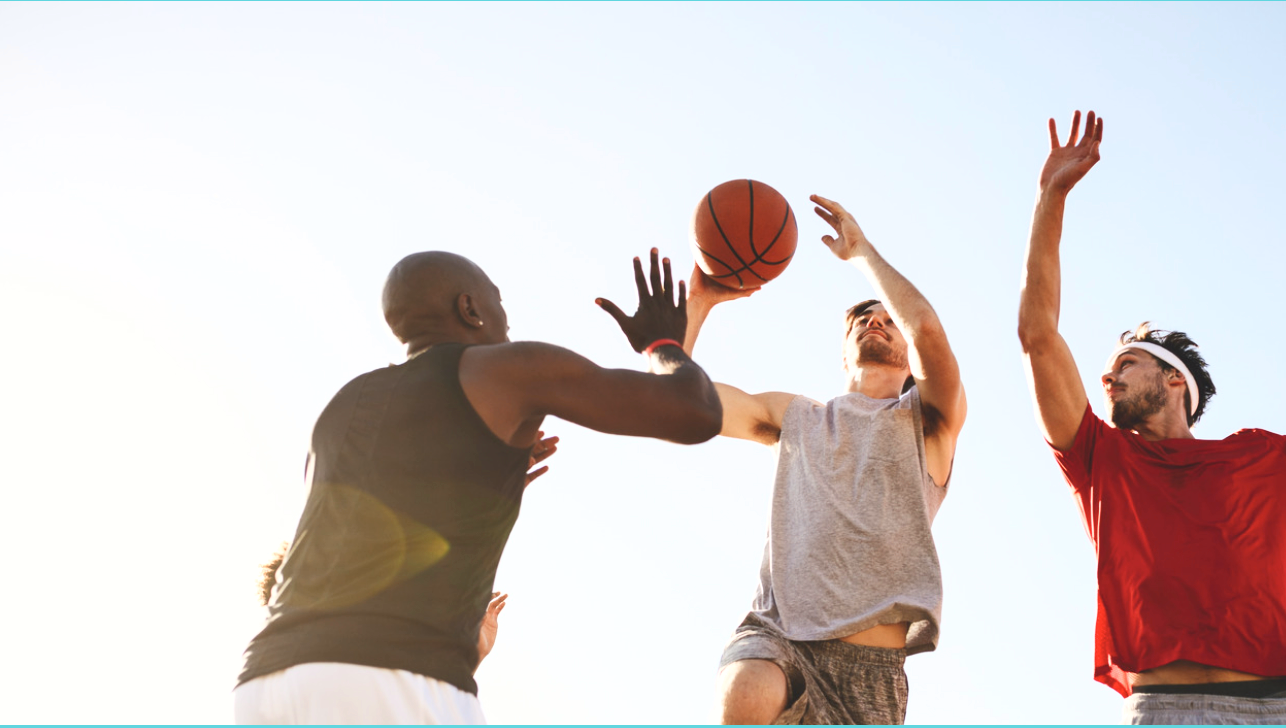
(1190, 534)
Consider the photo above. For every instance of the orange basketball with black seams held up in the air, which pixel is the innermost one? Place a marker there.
(744, 235)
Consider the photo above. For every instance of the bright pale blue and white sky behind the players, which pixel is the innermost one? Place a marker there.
(199, 205)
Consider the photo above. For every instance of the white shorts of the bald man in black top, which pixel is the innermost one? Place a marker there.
(338, 693)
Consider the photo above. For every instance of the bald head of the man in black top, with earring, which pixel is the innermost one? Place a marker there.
(438, 296)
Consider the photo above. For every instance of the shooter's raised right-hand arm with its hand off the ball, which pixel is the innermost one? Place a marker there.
(933, 363)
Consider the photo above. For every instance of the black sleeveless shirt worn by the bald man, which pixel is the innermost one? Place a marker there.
(411, 502)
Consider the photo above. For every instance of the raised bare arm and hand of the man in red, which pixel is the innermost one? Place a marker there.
(1056, 389)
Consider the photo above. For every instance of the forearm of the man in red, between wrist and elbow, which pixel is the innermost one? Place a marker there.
(1040, 303)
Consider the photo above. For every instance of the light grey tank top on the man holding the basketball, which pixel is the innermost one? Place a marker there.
(849, 543)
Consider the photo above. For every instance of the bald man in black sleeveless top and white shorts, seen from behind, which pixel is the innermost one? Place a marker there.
(416, 475)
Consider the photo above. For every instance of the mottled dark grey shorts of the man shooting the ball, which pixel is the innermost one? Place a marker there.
(829, 682)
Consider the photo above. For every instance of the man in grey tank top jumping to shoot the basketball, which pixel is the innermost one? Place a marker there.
(851, 582)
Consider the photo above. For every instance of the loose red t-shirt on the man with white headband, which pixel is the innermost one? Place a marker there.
(1191, 545)
